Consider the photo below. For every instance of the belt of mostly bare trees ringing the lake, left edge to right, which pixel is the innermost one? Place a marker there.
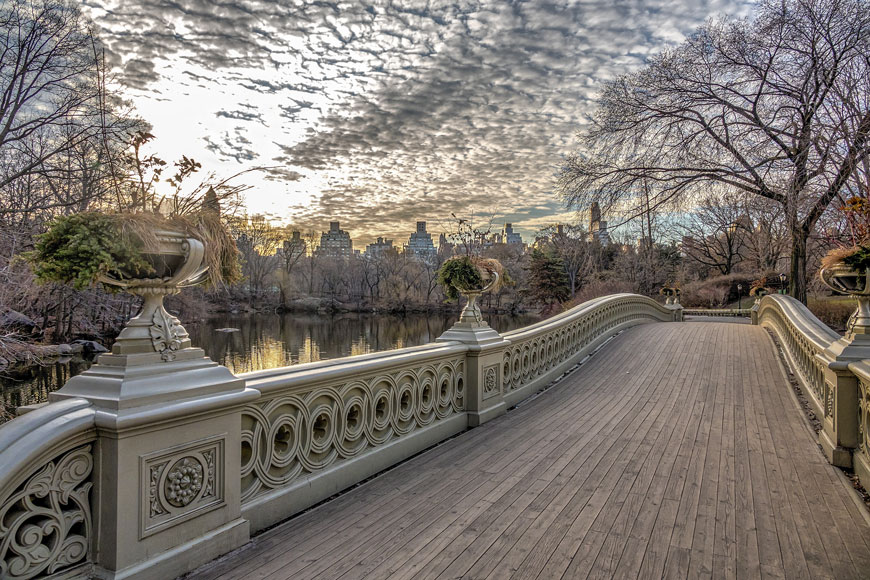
(729, 159)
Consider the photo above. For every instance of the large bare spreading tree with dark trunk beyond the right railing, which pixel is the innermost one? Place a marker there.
(777, 107)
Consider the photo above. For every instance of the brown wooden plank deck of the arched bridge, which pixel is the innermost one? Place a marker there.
(677, 451)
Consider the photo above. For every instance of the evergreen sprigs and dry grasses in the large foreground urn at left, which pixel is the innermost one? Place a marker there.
(79, 249)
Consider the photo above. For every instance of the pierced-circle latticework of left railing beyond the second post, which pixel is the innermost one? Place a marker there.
(533, 357)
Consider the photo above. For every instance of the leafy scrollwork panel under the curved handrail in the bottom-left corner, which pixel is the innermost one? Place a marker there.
(45, 524)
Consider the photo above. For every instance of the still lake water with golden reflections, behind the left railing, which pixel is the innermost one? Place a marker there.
(269, 341)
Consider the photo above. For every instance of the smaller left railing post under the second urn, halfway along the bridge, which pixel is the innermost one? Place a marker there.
(484, 399)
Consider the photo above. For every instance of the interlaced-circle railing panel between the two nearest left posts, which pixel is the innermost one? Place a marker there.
(289, 435)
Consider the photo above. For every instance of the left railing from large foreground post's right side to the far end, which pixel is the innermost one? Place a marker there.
(321, 427)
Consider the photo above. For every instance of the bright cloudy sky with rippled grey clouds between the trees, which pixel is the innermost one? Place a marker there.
(378, 114)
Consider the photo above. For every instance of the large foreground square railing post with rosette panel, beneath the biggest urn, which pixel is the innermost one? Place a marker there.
(168, 453)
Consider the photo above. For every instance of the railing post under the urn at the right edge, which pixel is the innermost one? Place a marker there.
(839, 434)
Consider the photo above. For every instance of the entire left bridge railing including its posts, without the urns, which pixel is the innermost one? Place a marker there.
(146, 467)
